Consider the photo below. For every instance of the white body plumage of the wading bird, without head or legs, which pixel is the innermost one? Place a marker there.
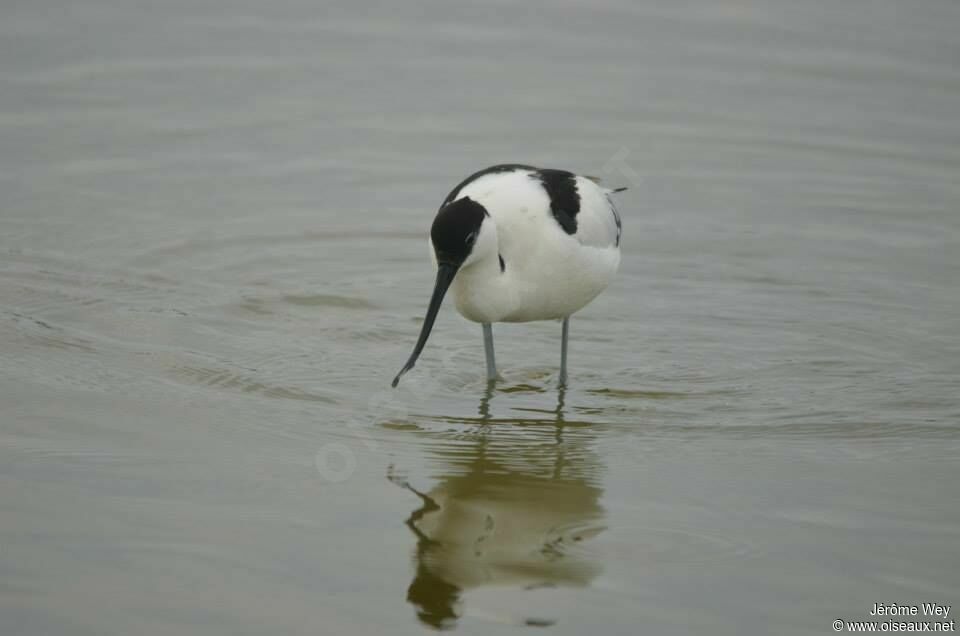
(547, 273)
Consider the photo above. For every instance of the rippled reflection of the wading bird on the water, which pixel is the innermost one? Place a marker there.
(513, 508)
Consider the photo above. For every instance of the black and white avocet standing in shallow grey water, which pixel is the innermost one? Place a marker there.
(517, 243)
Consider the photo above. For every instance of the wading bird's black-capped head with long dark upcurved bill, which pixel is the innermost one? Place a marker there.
(462, 235)
